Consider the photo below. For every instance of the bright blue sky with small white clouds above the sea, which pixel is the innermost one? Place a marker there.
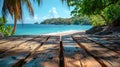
(47, 9)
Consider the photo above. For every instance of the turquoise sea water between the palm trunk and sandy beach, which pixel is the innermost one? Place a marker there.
(38, 29)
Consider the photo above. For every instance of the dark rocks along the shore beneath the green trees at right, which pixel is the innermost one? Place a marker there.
(104, 30)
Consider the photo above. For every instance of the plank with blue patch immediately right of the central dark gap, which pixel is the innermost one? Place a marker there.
(76, 56)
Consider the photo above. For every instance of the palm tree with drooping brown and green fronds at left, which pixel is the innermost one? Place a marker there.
(14, 8)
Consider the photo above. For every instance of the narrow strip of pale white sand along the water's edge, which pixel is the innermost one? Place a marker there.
(70, 32)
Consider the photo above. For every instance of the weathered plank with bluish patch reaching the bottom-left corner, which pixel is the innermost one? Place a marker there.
(16, 56)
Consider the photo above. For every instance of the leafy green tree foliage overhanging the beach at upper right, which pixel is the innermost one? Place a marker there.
(108, 10)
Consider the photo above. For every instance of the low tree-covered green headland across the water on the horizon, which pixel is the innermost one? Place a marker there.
(67, 21)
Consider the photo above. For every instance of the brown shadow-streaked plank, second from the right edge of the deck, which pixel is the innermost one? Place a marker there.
(103, 55)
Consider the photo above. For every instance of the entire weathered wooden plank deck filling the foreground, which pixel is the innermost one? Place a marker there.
(44, 51)
